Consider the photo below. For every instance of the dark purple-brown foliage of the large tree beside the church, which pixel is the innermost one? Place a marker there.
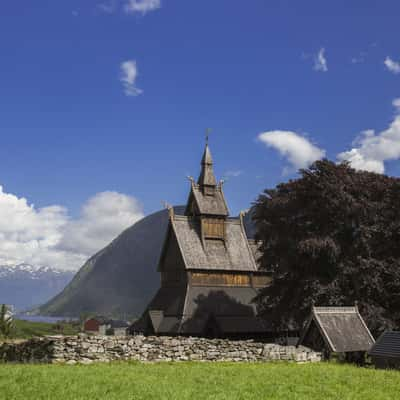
(333, 237)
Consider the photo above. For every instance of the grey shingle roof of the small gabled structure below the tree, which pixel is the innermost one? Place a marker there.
(342, 329)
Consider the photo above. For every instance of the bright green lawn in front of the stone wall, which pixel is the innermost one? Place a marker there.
(197, 381)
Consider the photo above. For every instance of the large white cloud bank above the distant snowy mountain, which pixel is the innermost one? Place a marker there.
(50, 237)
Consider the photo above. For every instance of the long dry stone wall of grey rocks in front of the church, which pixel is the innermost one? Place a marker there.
(87, 349)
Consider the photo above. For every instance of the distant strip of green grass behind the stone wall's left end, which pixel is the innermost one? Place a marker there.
(28, 329)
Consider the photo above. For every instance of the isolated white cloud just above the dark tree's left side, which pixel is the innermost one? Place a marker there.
(298, 150)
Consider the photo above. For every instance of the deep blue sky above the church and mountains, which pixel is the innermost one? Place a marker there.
(115, 96)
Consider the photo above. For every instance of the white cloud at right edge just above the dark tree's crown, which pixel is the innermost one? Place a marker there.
(371, 149)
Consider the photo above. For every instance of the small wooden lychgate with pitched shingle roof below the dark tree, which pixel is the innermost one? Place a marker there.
(337, 330)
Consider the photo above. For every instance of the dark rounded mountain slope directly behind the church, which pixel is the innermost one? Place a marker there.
(122, 278)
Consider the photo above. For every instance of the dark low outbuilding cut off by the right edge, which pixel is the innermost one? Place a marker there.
(385, 353)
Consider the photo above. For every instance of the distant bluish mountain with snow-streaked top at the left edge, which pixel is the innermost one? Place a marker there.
(25, 286)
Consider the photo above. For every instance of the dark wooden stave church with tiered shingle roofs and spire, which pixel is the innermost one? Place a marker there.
(208, 267)
